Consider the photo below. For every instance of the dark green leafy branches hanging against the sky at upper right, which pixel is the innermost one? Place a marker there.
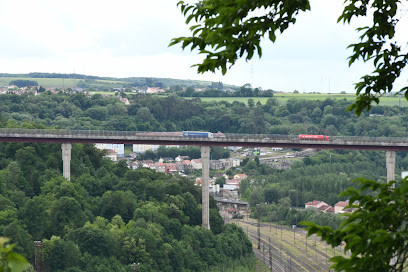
(225, 31)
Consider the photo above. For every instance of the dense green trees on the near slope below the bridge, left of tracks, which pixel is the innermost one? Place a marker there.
(108, 216)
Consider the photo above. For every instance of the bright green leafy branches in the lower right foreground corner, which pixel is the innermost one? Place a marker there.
(376, 234)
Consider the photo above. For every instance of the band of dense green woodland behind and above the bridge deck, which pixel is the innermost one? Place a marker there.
(172, 113)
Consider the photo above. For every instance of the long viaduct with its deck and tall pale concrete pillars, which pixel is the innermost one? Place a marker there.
(67, 137)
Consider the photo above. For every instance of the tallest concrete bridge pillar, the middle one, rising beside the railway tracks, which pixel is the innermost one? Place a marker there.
(205, 159)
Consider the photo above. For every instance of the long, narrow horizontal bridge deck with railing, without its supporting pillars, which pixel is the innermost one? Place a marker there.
(176, 138)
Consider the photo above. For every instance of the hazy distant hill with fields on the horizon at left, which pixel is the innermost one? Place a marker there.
(56, 80)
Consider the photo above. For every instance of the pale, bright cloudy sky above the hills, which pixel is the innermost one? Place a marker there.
(129, 38)
